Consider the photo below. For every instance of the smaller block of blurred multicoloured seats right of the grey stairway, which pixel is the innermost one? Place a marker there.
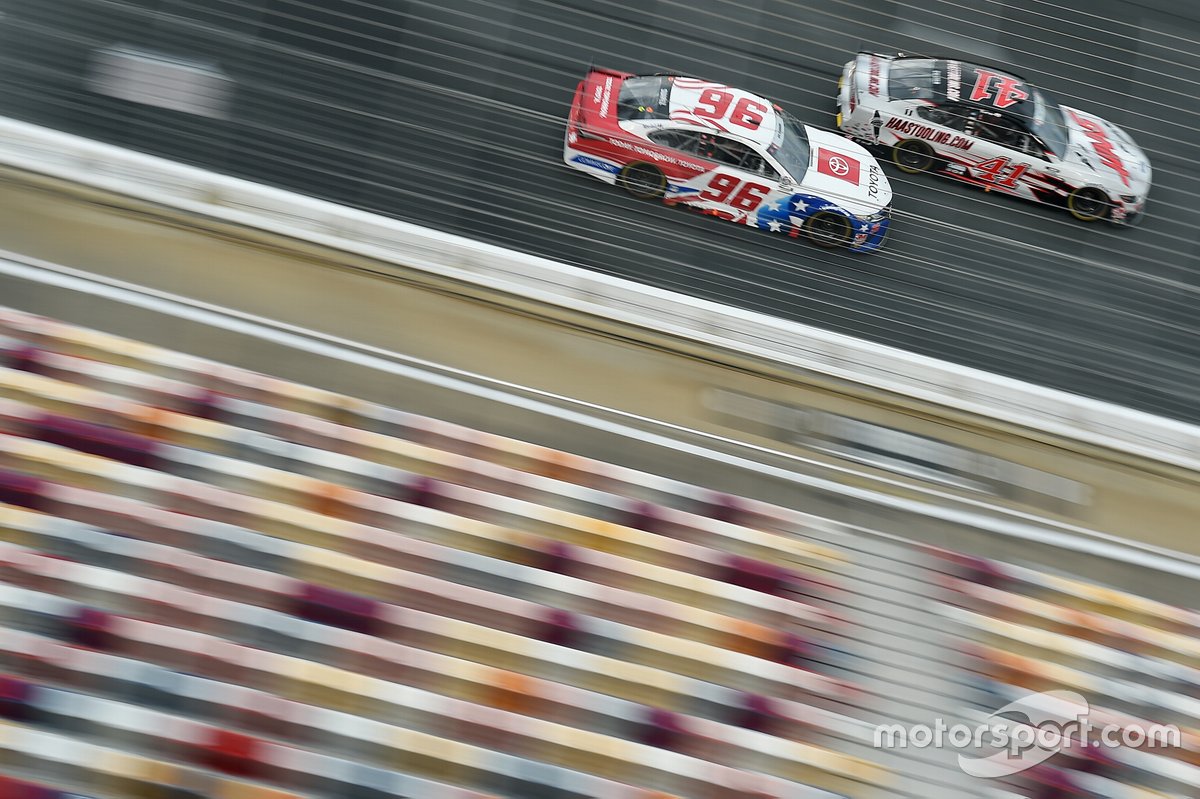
(1028, 632)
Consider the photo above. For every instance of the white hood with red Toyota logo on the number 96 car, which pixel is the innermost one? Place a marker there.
(845, 173)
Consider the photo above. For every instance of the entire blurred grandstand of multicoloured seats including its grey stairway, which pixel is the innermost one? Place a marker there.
(217, 584)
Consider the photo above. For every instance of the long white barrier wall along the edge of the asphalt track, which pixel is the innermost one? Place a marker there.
(513, 275)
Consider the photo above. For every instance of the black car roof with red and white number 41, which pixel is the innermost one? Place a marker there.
(947, 80)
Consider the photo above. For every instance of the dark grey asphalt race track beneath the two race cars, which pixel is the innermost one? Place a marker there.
(449, 115)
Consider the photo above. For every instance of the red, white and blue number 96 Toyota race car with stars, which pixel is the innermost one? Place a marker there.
(730, 154)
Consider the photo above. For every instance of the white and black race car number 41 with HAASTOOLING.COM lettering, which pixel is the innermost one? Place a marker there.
(992, 129)
